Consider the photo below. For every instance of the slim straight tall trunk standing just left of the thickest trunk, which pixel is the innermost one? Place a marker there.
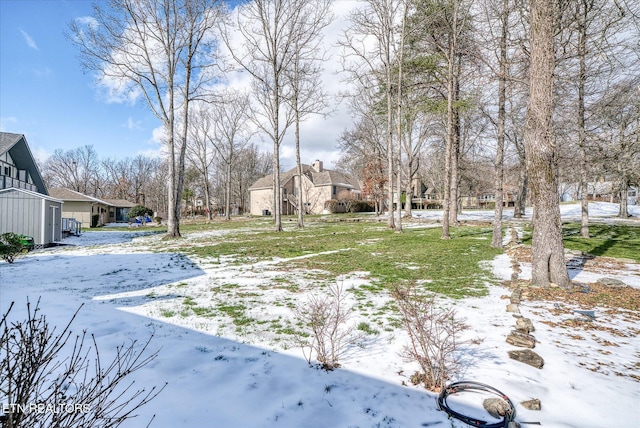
(496, 240)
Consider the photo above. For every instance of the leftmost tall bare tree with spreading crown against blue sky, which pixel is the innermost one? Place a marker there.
(162, 50)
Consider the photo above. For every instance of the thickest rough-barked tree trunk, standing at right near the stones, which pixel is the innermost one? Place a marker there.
(548, 265)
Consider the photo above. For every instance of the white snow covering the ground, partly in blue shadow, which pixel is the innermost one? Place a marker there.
(222, 374)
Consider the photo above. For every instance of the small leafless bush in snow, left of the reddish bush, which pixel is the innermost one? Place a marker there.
(327, 317)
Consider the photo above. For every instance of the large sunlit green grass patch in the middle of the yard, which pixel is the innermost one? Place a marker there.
(340, 247)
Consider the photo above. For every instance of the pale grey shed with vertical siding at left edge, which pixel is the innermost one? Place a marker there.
(29, 213)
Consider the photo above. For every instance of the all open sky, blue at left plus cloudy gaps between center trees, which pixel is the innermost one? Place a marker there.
(45, 94)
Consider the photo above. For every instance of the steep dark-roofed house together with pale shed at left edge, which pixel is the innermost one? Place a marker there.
(26, 207)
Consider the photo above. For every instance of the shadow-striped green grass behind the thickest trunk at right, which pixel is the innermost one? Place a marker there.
(605, 240)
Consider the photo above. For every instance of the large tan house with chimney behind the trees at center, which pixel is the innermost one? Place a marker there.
(318, 186)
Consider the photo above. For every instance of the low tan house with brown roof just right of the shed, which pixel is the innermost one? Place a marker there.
(91, 211)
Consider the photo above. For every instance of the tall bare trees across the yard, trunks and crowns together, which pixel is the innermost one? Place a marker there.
(459, 94)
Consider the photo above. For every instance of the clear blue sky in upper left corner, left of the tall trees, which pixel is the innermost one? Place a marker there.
(45, 94)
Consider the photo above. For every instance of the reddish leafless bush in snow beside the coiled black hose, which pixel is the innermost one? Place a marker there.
(434, 336)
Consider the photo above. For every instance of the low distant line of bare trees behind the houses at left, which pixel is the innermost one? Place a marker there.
(143, 179)
